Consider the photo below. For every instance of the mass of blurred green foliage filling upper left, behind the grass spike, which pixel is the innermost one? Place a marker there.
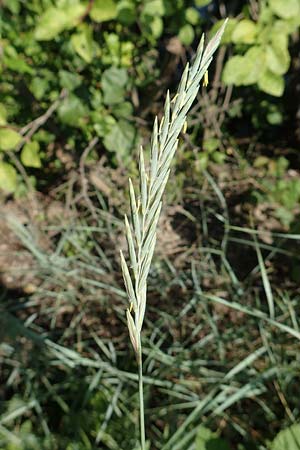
(98, 52)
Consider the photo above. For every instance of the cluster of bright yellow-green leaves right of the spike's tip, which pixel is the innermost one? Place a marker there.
(262, 46)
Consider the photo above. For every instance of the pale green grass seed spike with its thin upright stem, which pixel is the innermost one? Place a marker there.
(146, 204)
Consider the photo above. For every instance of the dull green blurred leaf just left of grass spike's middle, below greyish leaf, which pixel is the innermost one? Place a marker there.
(120, 138)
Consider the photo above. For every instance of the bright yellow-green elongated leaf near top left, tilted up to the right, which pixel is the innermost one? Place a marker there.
(55, 20)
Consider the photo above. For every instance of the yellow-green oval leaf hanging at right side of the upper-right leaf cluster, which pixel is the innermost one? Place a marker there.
(278, 57)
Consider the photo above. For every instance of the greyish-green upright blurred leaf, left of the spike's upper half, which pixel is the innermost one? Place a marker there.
(113, 83)
